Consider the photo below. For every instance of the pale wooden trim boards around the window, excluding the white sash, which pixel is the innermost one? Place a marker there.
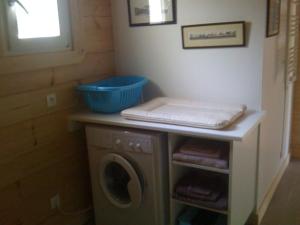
(14, 63)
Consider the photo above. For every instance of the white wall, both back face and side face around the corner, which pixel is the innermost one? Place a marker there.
(229, 75)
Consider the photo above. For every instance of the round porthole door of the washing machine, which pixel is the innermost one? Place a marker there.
(120, 182)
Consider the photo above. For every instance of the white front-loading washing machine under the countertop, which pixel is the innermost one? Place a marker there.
(129, 176)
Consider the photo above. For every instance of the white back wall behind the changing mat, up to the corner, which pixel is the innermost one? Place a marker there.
(229, 75)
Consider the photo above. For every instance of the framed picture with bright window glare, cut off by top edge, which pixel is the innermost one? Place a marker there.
(149, 12)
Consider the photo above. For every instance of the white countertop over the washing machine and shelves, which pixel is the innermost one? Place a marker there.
(235, 132)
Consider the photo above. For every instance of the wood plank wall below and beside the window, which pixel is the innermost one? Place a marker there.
(38, 156)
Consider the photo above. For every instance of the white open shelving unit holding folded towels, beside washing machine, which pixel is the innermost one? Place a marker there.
(242, 155)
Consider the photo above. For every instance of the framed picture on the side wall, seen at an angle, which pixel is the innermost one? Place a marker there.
(273, 17)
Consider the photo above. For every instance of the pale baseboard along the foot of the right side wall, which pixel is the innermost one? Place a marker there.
(268, 198)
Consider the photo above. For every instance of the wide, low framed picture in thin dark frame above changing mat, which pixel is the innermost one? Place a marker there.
(213, 35)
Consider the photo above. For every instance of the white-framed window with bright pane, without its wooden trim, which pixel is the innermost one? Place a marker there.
(35, 26)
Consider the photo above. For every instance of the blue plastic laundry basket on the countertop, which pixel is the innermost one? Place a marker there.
(114, 94)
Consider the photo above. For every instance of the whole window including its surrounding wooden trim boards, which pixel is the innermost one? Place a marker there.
(49, 35)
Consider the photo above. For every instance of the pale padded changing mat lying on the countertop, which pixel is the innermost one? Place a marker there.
(185, 113)
